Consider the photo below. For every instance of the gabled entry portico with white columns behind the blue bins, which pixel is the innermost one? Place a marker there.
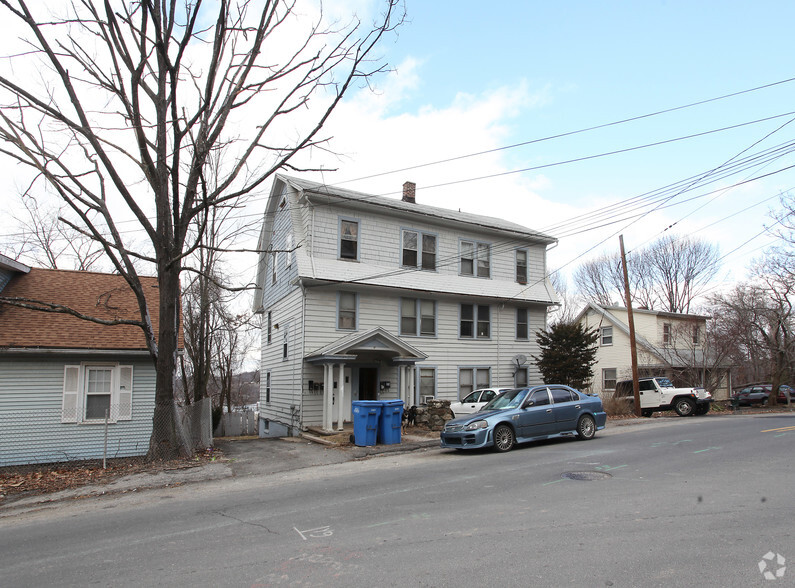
(369, 362)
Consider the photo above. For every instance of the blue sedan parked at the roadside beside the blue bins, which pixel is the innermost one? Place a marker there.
(527, 414)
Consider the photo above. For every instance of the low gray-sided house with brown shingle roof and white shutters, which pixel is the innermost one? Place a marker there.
(62, 378)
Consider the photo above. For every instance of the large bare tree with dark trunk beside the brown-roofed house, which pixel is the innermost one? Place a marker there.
(132, 98)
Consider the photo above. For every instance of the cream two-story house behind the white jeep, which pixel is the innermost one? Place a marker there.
(668, 344)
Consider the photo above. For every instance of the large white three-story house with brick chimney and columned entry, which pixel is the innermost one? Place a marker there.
(366, 297)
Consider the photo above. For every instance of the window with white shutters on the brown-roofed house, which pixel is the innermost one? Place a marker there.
(93, 391)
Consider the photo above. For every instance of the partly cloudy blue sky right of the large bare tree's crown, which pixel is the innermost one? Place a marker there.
(474, 76)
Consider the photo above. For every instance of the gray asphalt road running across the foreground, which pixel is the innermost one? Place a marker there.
(674, 502)
